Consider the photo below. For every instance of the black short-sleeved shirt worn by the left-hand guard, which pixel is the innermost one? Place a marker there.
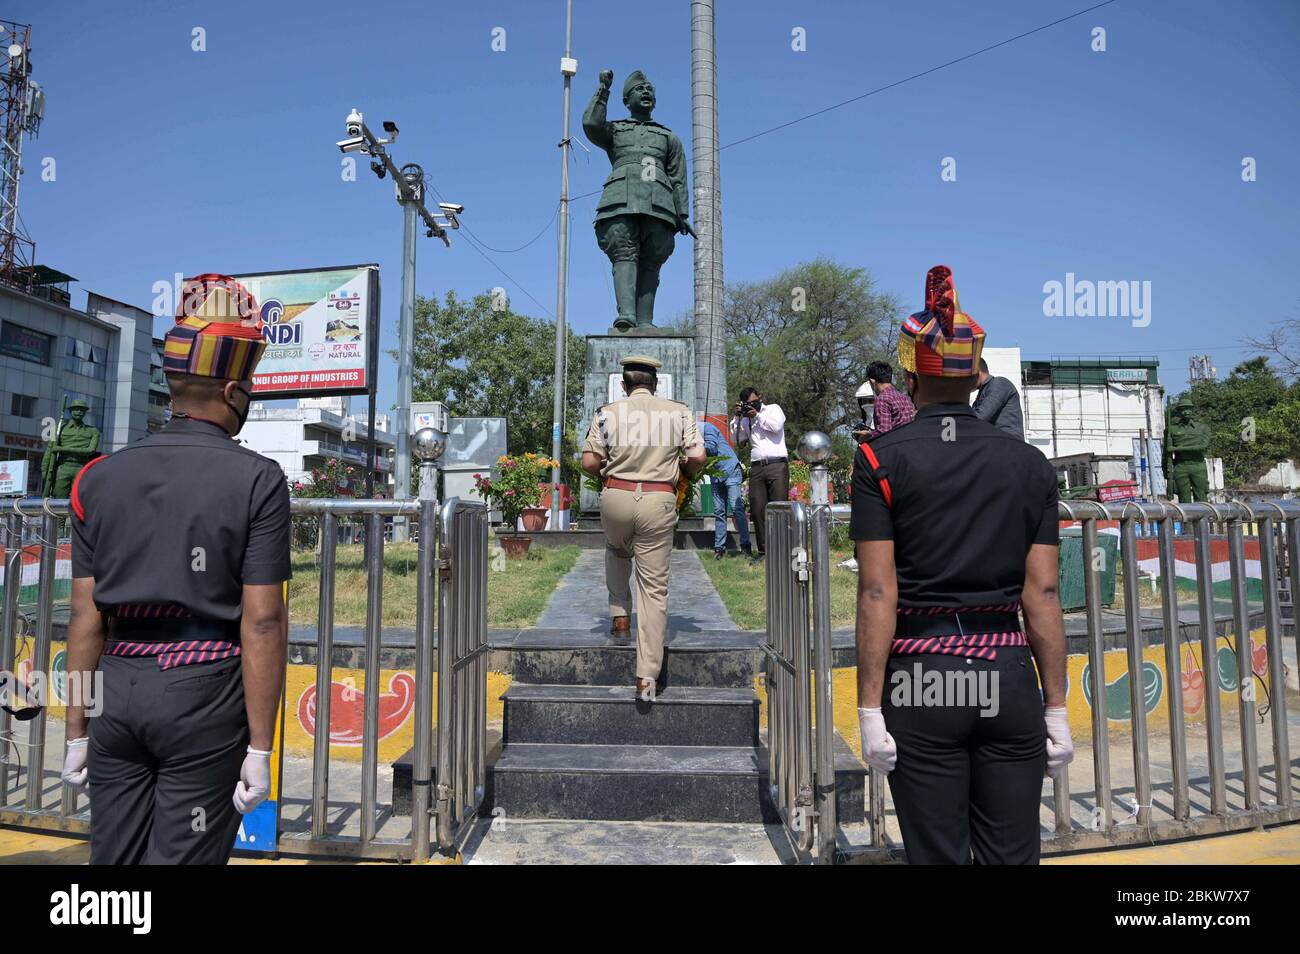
(183, 517)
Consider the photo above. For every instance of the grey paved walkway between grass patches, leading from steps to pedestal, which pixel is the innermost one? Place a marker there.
(580, 604)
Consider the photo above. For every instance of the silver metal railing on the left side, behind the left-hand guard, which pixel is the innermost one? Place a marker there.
(450, 592)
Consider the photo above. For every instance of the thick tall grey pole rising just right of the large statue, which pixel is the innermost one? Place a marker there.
(710, 354)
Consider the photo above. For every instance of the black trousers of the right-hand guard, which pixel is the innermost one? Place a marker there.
(967, 787)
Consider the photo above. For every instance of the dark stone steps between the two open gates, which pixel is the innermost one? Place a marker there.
(577, 744)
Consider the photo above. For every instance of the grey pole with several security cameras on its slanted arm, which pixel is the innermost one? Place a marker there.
(410, 189)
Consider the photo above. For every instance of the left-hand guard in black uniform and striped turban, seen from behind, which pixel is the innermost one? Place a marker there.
(180, 556)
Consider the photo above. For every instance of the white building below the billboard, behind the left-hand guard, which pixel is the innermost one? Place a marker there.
(304, 439)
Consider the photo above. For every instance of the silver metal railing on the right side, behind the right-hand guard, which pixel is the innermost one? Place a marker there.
(1090, 821)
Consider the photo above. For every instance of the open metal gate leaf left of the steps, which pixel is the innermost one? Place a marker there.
(462, 669)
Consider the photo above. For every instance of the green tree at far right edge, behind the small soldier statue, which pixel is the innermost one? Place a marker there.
(1254, 418)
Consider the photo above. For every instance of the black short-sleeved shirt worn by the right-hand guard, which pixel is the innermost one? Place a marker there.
(969, 502)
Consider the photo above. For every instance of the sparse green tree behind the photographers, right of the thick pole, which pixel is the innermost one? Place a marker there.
(805, 340)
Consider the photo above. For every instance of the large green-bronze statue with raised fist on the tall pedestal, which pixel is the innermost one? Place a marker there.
(645, 202)
